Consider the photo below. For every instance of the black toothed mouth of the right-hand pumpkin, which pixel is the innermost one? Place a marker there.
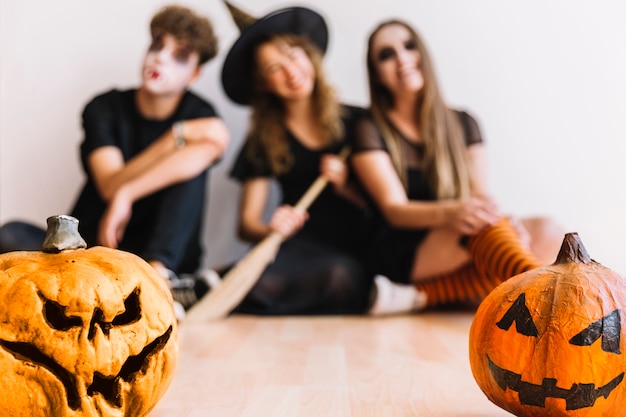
(578, 396)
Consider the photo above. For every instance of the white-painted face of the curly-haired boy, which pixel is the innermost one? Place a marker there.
(169, 67)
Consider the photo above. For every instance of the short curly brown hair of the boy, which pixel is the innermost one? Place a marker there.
(189, 28)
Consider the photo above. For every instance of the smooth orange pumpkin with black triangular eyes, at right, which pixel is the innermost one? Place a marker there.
(549, 342)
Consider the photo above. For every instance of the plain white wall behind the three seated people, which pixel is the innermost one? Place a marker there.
(545, 79)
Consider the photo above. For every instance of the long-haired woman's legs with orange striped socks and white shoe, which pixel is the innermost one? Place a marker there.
(442, 272)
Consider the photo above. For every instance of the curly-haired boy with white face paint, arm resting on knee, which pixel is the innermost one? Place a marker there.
(146, 153)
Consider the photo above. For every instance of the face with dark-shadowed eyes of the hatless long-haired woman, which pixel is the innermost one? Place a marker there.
(397, 60)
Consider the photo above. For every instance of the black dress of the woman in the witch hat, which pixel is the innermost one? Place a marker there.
(320, 270)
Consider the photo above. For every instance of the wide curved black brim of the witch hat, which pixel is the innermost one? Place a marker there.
(236, 75)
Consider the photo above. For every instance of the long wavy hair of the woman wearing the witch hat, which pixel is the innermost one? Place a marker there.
(267, 132)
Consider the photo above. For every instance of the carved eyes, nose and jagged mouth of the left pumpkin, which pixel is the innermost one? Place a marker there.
(108, 386)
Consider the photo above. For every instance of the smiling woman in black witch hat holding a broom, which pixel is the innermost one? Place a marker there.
(297, 129)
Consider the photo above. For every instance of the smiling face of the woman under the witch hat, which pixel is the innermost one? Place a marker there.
(287, 71)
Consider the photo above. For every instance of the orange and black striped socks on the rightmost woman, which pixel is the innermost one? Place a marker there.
(497, 255)
